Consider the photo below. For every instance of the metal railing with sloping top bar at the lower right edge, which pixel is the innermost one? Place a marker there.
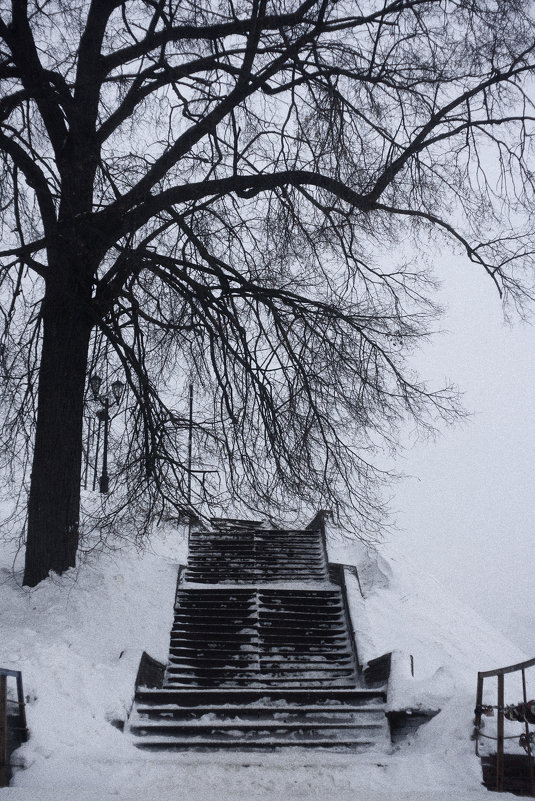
(500, 673)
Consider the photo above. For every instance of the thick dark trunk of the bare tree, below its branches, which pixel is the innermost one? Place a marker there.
(54, 502)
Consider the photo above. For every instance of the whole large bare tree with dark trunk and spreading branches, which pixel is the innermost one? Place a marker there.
(206, 191)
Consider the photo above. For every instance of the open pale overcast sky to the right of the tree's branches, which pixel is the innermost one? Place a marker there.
(467, 516)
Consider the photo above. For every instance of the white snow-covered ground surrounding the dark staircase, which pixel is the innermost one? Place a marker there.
(78, 640)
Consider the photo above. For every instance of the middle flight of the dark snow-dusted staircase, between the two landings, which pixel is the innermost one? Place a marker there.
(260, 637)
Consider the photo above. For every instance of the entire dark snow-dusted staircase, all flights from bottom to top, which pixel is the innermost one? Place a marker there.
(262, 652)
